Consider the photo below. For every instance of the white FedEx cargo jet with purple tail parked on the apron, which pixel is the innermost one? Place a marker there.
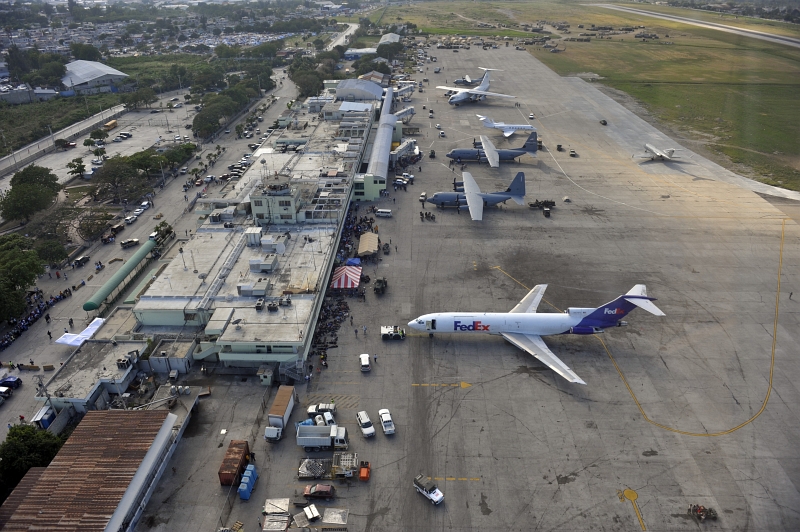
(524, 328)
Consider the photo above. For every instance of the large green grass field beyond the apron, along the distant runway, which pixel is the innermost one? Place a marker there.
(736, 95)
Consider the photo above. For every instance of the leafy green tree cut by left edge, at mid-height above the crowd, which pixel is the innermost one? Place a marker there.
(19, 267)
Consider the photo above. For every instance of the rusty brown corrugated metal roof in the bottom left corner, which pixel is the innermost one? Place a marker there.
(85, 482)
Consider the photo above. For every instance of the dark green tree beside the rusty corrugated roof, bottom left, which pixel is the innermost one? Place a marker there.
(25, 447)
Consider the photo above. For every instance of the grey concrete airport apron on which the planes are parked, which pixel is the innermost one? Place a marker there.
(514, 446)
